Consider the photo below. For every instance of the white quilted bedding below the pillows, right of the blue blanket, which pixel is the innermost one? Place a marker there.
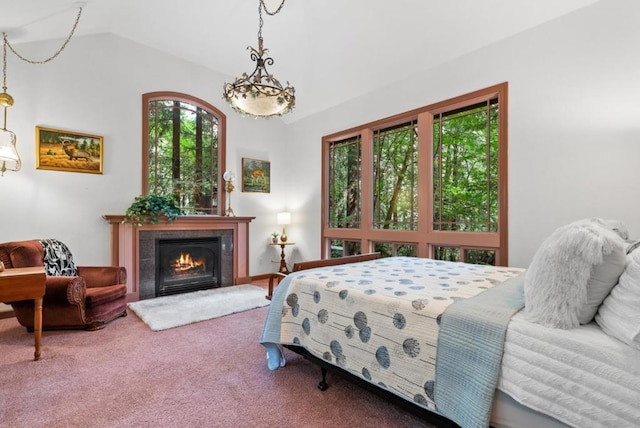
(580, 376)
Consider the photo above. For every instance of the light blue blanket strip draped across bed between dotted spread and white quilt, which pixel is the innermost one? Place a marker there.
(469, 353)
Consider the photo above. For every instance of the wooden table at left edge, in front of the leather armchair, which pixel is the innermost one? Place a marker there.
(25, 284)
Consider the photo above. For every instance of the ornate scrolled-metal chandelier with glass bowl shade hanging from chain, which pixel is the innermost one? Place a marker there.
(259, 94)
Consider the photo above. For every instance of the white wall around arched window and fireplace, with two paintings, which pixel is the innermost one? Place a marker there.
(95, 86)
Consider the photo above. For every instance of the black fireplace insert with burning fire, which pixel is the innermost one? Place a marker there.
(187, 264)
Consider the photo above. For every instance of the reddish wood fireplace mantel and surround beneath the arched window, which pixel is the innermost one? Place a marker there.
(125, 239)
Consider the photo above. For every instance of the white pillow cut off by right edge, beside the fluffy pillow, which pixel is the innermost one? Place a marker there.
(619, 314)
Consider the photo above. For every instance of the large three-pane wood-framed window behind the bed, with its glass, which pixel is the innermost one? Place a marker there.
(431, 183)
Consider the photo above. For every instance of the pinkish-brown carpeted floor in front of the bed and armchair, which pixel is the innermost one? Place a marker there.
(208, 374)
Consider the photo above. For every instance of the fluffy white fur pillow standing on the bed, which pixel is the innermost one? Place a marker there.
(572, 272)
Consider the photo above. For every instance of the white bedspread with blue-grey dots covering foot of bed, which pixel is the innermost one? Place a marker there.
(379, 319)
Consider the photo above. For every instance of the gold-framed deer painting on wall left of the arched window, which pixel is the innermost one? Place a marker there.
(71, 151)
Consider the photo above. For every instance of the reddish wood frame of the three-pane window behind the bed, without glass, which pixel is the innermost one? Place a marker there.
(425, 236)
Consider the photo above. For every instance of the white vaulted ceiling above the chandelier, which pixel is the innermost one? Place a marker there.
(330, 50)
